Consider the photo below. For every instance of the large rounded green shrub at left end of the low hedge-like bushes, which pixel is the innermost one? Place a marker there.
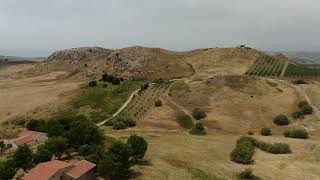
(244, 151)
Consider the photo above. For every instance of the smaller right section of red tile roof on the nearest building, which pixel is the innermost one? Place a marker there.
(81, 168)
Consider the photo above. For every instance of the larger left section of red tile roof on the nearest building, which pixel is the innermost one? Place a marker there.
(45, 170)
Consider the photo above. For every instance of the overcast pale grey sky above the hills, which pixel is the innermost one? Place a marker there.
(39, 27)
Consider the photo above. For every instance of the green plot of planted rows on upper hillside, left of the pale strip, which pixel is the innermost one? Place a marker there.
(266, 66)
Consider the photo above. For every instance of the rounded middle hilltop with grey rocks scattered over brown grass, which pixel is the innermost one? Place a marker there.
(150, 63)
